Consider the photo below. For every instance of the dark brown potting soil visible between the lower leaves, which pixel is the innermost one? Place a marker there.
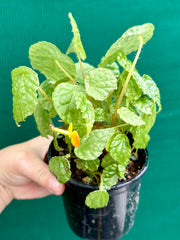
(132, 169)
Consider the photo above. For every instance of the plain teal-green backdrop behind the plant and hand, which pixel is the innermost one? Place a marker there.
(23, 23)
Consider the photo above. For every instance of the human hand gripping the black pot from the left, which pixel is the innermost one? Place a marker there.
(24, 175)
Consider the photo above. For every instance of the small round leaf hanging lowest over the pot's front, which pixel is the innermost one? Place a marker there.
(97, 199)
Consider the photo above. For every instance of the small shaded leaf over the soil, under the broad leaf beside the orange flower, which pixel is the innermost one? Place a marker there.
(87, 165)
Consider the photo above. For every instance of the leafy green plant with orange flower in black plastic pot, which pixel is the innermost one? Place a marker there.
(103, 116)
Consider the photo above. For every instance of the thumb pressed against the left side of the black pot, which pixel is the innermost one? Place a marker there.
(33, 168)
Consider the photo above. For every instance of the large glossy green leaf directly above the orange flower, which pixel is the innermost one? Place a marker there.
(64, 99)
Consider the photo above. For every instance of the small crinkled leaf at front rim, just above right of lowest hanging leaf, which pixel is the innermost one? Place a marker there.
(110, 176)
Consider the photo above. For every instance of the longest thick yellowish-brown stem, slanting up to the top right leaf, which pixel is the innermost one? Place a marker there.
(127, 81)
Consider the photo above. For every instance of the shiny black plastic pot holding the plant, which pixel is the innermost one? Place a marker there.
(111, 222)
